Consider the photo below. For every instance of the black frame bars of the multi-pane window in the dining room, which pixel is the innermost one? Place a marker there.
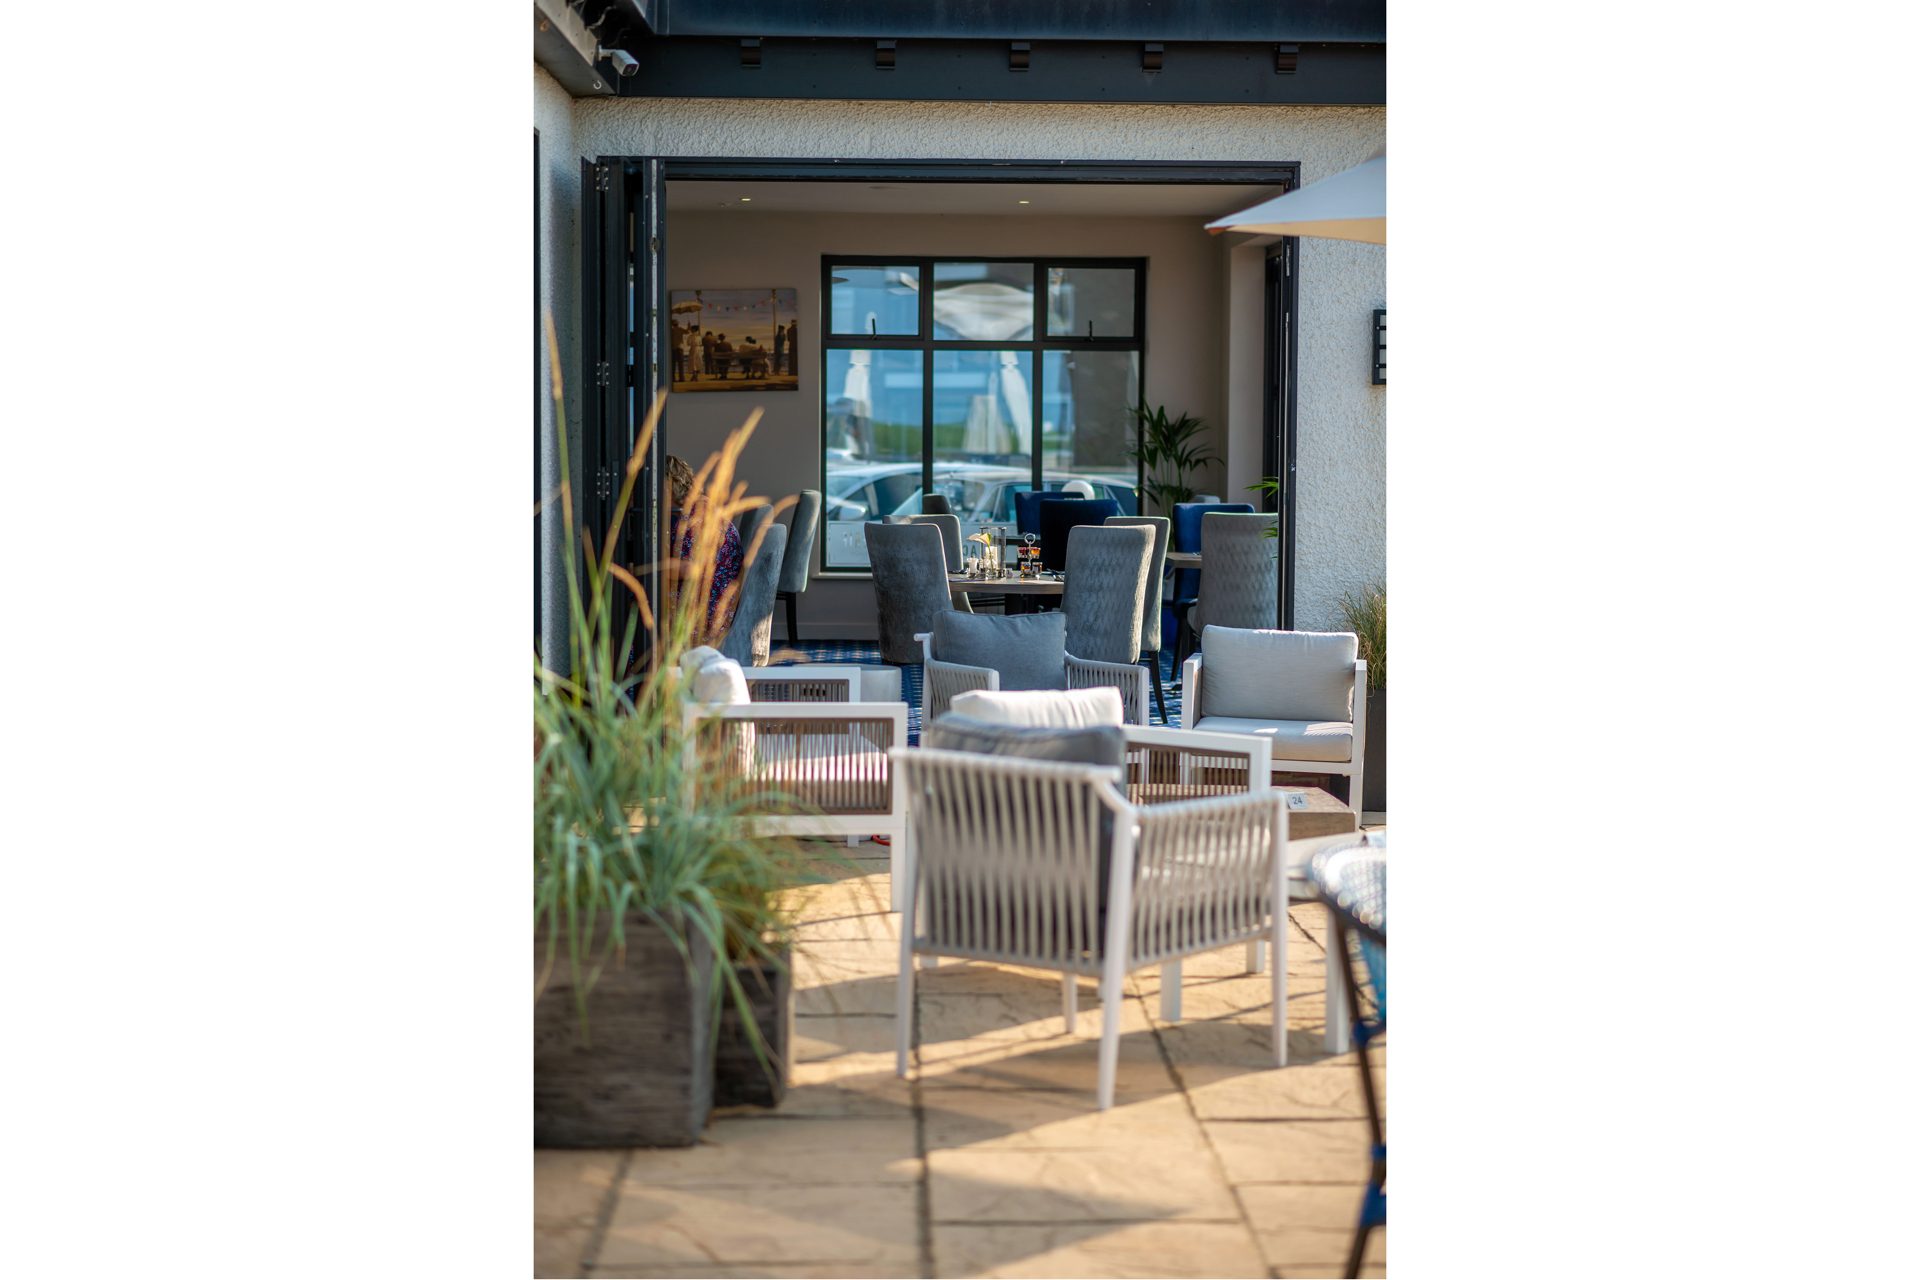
(928, 344)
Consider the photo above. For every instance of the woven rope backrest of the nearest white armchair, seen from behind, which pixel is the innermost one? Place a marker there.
(1011, 857)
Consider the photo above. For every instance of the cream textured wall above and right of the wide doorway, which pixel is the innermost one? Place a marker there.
(1343, 425)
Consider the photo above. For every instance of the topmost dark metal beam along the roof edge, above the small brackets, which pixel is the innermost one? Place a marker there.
(1024, 20)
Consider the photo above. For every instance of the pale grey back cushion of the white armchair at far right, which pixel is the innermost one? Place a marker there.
(1278, 675)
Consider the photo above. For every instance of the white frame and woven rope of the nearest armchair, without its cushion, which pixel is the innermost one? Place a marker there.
(1216, 874)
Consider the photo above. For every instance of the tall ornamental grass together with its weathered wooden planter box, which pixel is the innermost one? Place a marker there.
(654, 905)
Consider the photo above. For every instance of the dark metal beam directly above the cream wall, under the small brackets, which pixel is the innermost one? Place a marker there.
(1330, 74)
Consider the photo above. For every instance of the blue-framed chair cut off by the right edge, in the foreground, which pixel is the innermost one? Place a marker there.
(1353, 884)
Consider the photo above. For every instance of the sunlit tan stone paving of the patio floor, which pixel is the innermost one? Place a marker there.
(992, 1160)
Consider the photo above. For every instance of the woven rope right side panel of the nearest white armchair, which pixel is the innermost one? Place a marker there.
(1205, 876)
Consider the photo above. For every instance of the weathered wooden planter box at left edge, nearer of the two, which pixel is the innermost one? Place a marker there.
(644, 1074)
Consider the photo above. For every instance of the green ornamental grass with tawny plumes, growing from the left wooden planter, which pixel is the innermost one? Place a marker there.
(638, 818)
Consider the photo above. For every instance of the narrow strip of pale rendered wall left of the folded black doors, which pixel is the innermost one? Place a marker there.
(560, 272)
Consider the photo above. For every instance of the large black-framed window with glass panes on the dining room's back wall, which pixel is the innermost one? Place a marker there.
(976, 379)
